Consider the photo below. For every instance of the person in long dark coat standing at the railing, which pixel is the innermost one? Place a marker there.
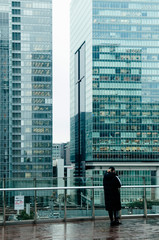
(111, 184)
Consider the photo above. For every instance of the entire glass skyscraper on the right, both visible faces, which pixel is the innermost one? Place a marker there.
(115, 86)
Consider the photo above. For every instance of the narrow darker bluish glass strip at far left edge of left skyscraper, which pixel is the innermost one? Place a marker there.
(4, 93)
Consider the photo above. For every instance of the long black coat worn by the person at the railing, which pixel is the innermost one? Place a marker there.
(111, 185)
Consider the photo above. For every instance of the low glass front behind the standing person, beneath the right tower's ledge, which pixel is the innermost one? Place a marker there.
(128, 178)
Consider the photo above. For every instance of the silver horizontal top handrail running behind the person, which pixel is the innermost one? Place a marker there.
(69, 188)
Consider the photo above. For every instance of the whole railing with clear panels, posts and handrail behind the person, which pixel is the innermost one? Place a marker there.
(37, 204)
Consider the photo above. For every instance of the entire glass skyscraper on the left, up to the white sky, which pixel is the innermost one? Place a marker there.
(26, 88)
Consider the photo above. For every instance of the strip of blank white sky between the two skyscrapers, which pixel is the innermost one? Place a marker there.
(61, 95)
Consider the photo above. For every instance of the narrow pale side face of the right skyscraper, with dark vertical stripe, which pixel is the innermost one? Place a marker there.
(81, 81)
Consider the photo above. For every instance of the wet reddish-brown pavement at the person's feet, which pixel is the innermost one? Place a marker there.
(84, 230)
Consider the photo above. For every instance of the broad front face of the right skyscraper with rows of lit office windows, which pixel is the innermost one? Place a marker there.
(125, 81)
